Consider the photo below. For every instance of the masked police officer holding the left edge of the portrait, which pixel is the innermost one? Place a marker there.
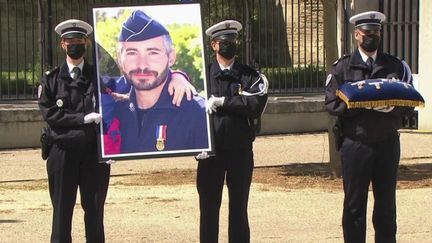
(67, 100)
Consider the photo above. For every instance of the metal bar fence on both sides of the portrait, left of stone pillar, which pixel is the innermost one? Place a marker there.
(282, 38)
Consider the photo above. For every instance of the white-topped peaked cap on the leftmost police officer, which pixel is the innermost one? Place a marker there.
(73, 28)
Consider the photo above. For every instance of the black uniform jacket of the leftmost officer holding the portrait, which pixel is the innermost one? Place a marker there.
(64, 102)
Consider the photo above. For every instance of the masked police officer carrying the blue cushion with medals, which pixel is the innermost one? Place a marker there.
(370, 148)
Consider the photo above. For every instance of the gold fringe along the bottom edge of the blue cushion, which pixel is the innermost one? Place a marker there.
(376, 103)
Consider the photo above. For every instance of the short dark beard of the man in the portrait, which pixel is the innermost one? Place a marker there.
(145, 83)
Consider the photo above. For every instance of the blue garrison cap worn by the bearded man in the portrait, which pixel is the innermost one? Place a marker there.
(139, 26)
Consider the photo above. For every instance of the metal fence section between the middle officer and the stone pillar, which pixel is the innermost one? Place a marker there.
(282, 38)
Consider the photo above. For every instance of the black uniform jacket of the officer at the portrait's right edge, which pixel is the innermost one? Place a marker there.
(233, 122)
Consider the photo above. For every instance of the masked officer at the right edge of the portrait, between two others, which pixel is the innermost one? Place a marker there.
(238, 96)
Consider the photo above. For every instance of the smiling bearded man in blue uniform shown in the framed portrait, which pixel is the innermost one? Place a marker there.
(149, 121)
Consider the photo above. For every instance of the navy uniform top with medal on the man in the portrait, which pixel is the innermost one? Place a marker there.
(185, 126)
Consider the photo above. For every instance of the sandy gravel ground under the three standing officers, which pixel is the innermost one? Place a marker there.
(293, 197)
